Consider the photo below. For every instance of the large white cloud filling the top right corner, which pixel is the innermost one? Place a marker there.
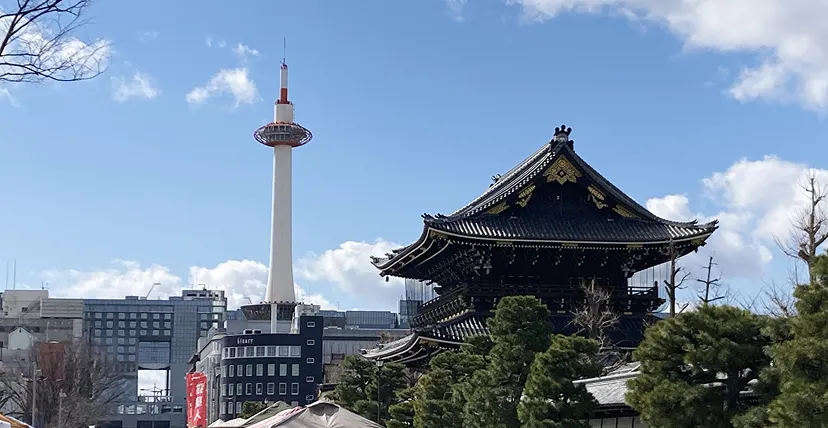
(788, 37)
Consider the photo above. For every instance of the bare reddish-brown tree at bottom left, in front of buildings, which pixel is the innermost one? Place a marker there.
(75, 387)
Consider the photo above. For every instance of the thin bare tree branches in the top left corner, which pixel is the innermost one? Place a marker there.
(38, 42)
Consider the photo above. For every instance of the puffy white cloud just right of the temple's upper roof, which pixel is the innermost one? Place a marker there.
(757, 202)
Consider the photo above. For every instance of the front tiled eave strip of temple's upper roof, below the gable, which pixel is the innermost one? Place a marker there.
(571, 230)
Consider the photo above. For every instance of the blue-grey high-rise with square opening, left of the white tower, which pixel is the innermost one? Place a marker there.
(158, 335)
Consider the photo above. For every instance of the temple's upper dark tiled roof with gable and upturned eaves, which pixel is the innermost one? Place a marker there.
(634, 224)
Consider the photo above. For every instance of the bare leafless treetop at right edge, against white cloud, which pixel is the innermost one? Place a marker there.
(810, 224)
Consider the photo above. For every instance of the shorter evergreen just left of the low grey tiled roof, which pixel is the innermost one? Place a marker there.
(550, 399)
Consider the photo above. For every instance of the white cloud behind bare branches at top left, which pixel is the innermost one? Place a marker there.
(68, 56)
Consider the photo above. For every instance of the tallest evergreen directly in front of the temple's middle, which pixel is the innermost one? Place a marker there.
(520, 329)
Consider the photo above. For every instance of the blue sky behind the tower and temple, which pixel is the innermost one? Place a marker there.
(413, 106)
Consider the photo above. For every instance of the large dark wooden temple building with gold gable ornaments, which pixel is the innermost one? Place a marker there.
(543, 228)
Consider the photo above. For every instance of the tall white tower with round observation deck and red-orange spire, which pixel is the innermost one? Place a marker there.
(282, 135)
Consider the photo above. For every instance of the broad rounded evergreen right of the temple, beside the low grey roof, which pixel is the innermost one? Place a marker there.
(695, 366)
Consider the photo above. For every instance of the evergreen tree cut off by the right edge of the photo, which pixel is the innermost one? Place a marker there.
(802, 361)
